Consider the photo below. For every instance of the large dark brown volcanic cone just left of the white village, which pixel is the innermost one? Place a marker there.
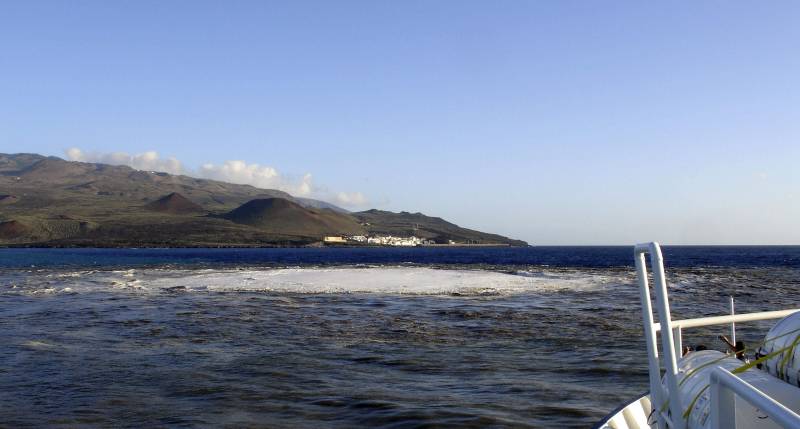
(284, 216)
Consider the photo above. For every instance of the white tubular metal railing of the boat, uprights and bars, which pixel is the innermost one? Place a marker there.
(671, 342)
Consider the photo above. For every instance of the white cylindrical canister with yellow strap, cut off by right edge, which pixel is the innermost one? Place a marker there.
(785, 365)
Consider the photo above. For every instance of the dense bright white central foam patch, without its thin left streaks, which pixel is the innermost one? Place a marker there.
(386, 280)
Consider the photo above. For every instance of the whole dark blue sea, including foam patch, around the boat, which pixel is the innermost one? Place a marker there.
(536, 337)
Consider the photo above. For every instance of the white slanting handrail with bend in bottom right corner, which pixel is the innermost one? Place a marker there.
(725, 386)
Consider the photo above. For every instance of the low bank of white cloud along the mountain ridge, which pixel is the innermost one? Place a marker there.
(235, 171)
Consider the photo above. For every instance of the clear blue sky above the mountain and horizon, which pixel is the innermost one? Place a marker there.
(558, 122)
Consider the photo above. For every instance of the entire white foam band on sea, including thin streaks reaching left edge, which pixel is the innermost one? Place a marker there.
(380, 280)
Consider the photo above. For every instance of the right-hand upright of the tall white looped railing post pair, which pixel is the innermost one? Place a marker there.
(667, 342)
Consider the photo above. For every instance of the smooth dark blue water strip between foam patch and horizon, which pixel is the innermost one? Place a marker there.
(563, 256)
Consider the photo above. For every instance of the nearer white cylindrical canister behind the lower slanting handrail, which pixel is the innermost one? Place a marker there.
(693, 384)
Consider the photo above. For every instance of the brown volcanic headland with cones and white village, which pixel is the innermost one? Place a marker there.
(50, 202)
